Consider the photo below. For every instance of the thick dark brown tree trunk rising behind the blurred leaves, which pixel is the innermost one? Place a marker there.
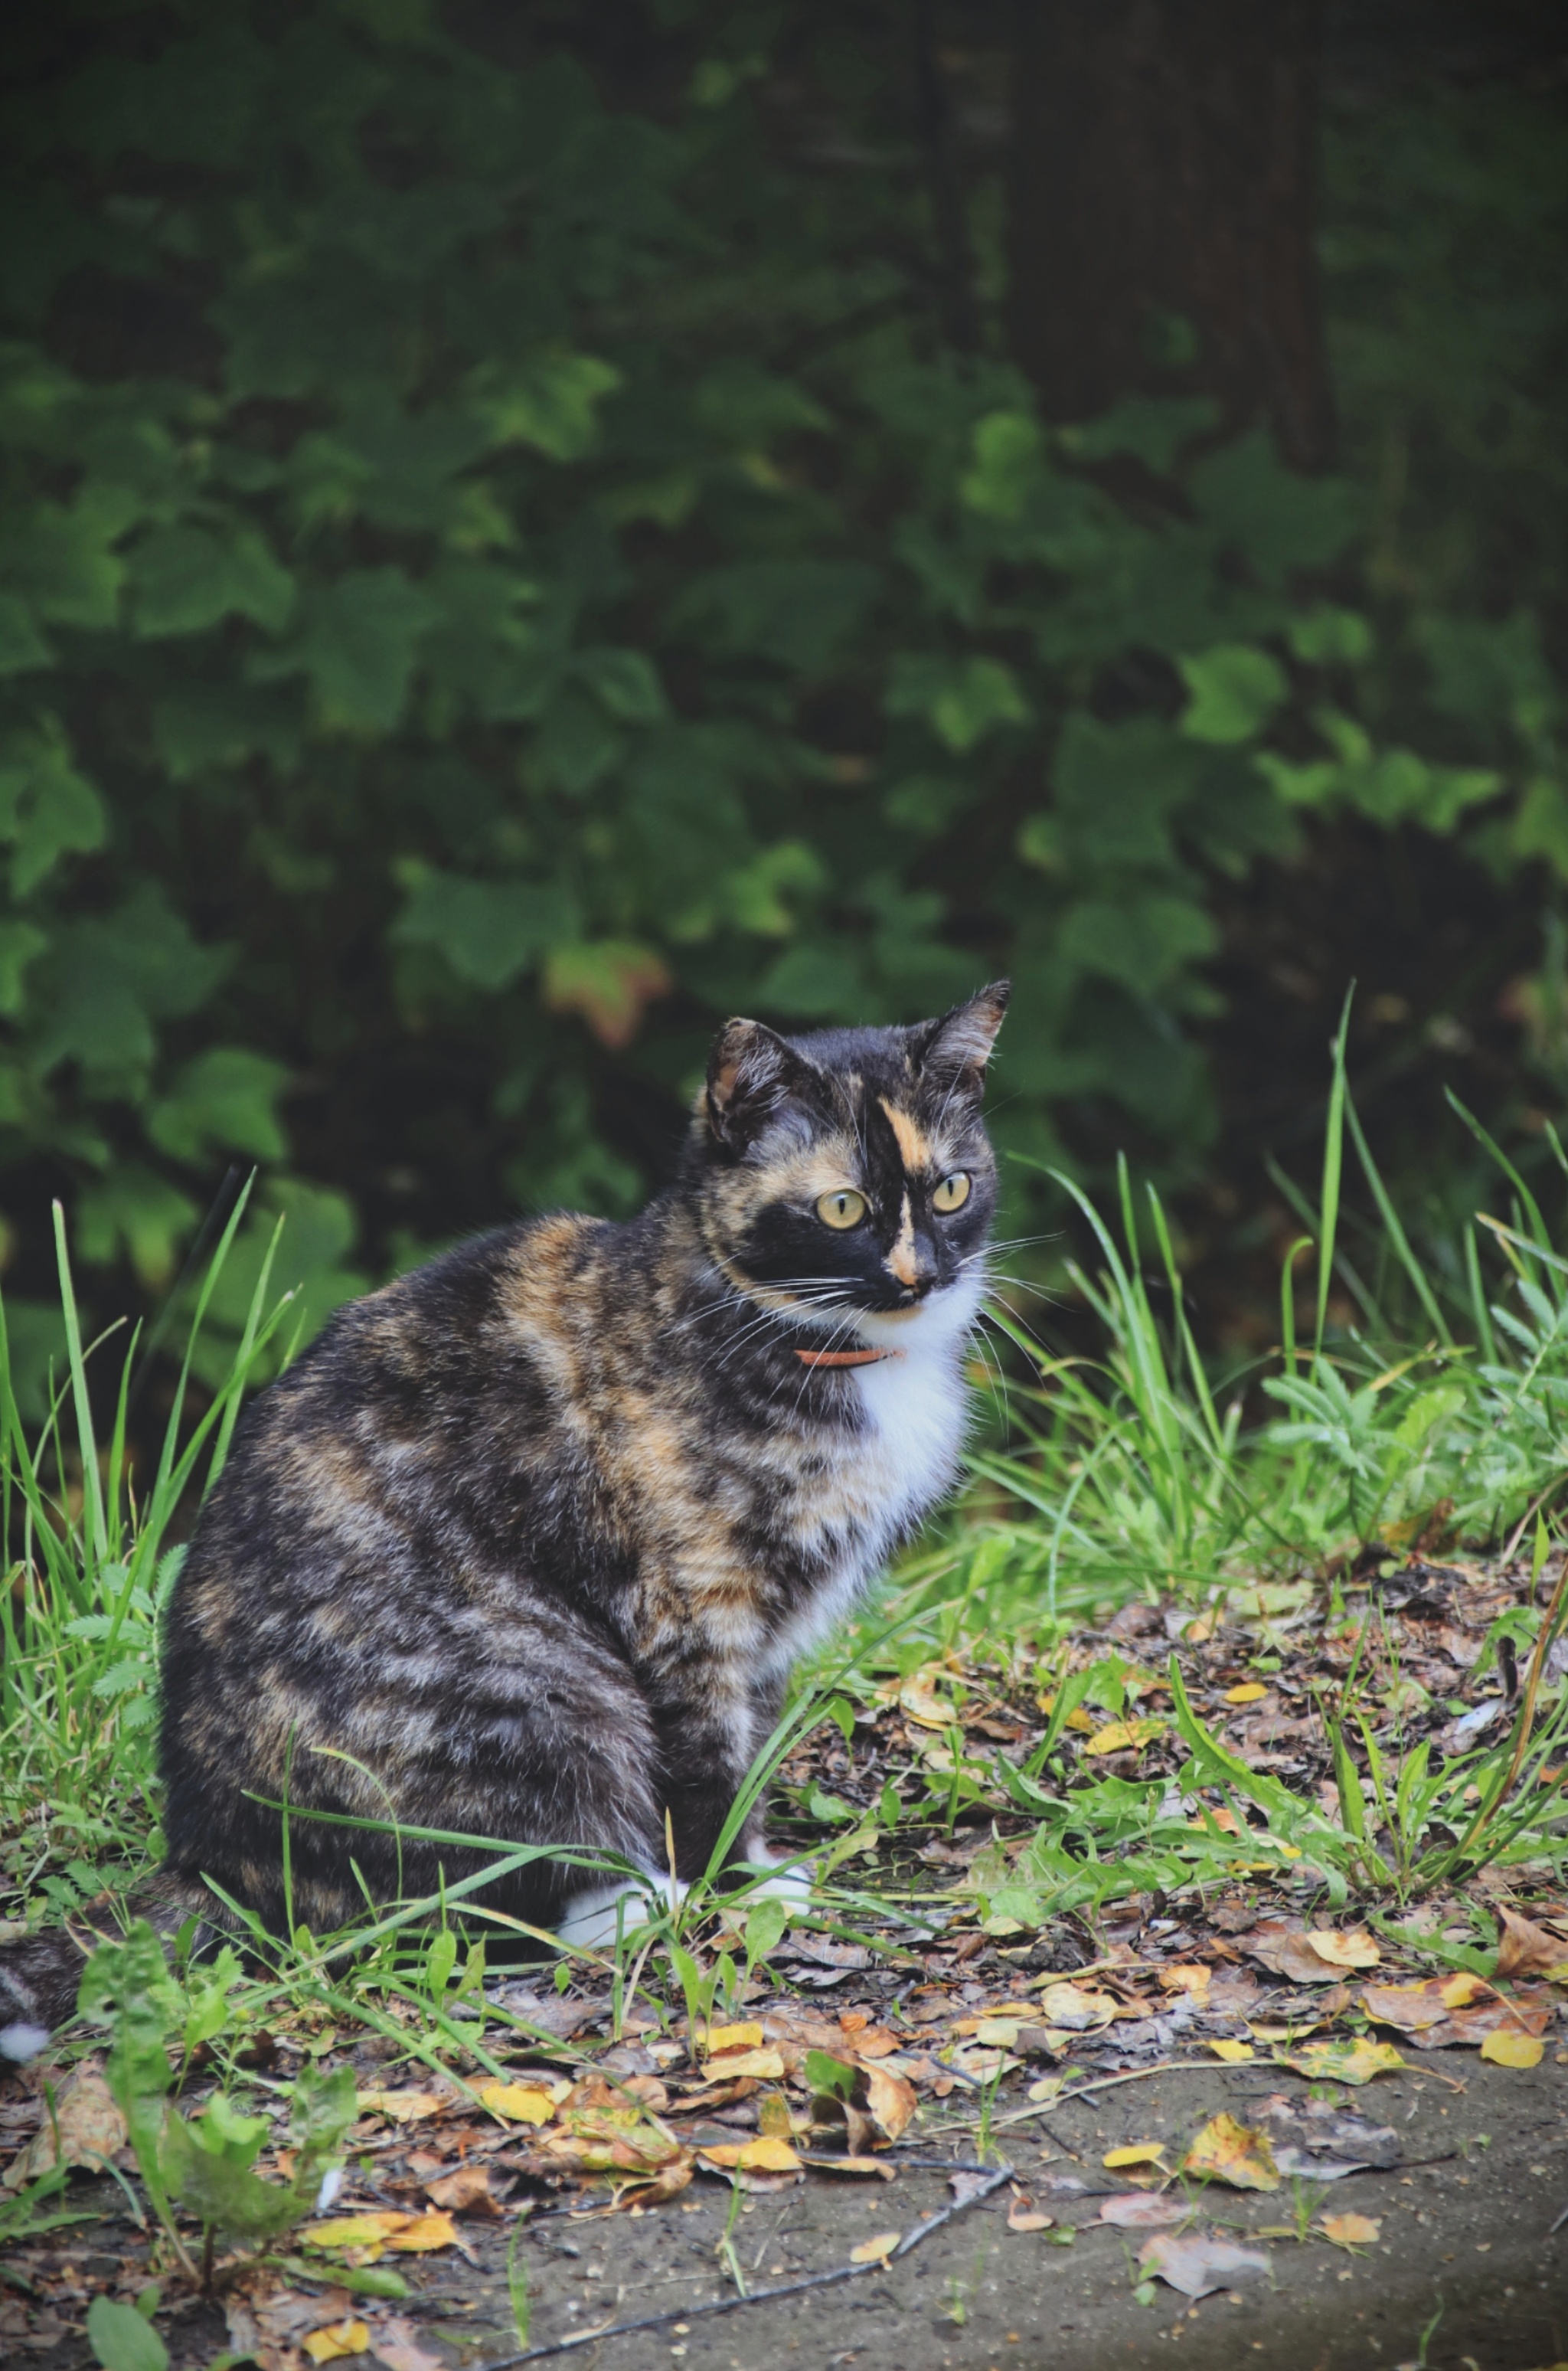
(1166, 210)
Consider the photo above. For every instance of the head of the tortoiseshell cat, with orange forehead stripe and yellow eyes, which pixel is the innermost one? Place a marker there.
(846, 1177)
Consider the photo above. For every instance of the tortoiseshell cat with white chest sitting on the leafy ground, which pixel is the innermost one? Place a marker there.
(528, 1545)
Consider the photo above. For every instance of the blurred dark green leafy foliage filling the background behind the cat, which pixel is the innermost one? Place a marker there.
(497, 577)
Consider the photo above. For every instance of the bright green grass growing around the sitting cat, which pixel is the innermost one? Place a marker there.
(1123, 1476)
